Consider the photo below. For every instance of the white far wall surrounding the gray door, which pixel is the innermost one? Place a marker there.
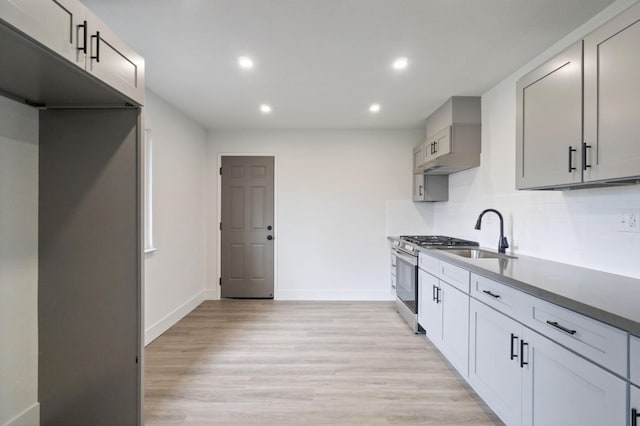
(333, 192)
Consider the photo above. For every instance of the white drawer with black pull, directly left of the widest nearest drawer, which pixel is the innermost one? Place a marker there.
(505, 299)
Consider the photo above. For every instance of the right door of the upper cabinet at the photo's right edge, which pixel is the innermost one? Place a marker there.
(612, 98)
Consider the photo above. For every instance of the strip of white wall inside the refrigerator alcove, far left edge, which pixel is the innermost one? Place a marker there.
(18, 264)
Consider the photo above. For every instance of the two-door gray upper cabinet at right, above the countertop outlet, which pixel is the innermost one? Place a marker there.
(577, 115)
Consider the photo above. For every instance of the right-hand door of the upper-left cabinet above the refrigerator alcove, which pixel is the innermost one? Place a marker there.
(113, 62)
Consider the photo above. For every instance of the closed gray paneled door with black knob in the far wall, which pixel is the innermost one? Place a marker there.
(247, 227)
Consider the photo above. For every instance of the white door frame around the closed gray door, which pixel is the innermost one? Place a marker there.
(275, 216)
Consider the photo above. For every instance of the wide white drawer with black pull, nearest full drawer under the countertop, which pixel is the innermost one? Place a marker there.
(590, 338)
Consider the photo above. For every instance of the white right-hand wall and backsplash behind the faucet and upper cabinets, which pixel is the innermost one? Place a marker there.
(576, 227)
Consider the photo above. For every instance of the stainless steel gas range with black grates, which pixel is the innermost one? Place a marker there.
(406, 252)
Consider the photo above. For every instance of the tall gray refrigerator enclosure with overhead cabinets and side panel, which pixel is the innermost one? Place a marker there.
(89, 87)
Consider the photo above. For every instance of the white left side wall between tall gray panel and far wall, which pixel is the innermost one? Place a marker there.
(175, 273)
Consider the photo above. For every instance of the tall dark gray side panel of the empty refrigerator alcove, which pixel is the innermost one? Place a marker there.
(89, 299)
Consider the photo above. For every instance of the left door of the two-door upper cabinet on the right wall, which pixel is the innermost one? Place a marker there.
(549, 123)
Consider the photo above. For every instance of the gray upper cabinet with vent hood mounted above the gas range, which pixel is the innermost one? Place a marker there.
(453, 137)
